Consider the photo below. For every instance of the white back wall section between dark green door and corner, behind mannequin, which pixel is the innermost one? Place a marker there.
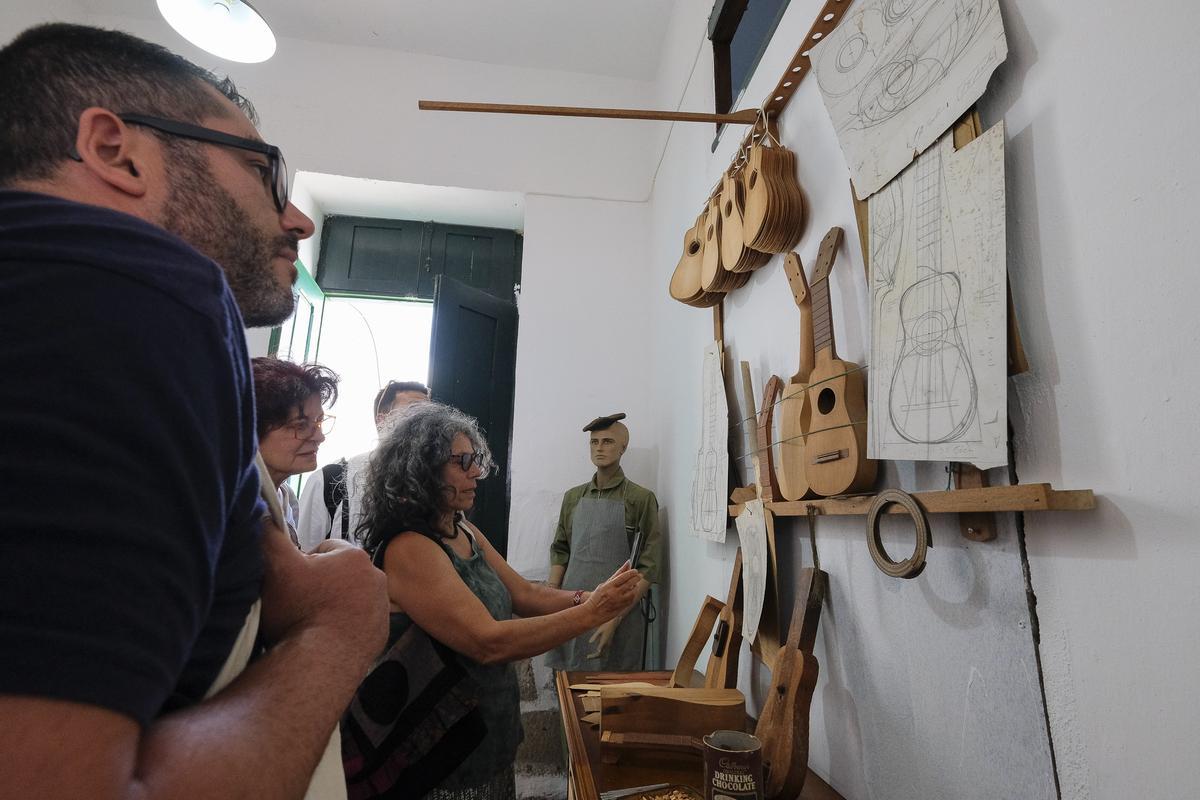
(580, 354)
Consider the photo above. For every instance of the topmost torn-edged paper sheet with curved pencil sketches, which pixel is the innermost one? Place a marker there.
(897, 74)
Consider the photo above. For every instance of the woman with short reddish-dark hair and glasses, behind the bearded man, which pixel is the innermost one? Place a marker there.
(290, 401)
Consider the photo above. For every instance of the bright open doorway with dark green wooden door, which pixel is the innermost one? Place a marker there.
(392, 258)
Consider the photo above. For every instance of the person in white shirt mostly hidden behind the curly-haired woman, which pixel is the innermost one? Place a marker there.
(329, 501)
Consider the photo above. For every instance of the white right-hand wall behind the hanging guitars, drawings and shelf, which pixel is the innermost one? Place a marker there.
(931, 688)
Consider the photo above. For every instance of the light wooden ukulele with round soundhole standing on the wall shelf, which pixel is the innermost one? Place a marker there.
(836, 449)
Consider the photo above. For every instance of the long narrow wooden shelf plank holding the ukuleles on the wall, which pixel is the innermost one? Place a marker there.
(1024, 497)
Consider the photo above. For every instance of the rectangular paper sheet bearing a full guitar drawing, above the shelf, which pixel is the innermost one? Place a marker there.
(939, 334)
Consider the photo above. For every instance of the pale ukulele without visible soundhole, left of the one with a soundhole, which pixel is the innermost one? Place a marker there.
(794, 408)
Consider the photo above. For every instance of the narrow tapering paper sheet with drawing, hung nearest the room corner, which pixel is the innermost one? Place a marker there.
(711, 477)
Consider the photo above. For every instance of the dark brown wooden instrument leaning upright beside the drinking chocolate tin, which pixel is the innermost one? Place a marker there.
(784, 723)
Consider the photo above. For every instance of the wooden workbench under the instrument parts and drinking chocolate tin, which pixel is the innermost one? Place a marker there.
(589, 775)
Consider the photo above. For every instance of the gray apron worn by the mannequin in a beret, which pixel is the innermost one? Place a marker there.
(599, 545)
